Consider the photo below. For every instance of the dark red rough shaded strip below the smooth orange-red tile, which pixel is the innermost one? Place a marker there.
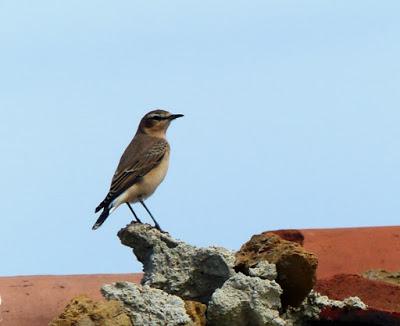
(376, 294)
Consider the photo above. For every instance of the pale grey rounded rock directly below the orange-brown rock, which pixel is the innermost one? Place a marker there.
(245, 300)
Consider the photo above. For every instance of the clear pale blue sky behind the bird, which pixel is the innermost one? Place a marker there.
(291, 121)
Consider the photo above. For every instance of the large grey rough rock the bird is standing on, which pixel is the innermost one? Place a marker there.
(176, 267)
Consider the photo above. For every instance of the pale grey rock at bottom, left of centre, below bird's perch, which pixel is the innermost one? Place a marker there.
(147, 306)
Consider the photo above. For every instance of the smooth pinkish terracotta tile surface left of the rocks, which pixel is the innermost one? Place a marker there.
(37, 300)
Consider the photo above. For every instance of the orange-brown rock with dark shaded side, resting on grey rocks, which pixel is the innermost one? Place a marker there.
(295, 266)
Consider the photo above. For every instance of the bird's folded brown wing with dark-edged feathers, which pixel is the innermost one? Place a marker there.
(134, 165)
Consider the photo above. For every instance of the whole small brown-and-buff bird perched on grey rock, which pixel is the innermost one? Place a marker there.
(142, 167)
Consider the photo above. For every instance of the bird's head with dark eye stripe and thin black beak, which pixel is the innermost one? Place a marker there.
(156, 123)
